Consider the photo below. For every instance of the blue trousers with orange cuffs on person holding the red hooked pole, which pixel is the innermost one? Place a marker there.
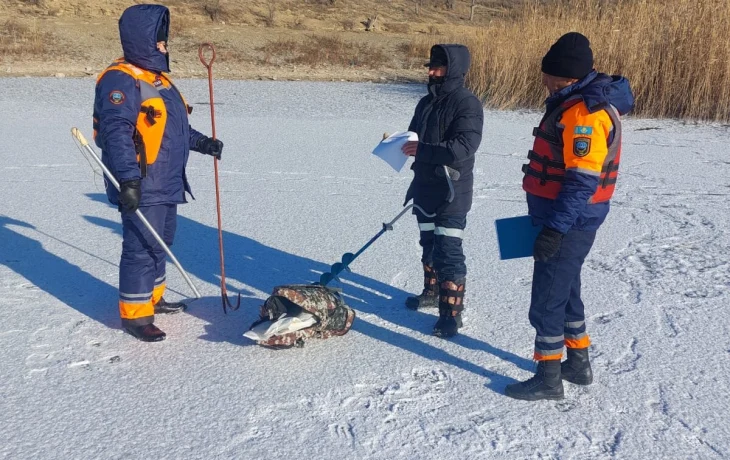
(142, 267)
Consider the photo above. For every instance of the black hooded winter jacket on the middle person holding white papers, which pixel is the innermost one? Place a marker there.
(449, 123)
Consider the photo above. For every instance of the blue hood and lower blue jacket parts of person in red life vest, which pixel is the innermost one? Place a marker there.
(571, 210)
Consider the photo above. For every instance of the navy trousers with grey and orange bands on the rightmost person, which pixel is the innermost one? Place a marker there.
(556, 309)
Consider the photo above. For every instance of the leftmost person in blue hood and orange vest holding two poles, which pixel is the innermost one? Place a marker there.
(141, 125)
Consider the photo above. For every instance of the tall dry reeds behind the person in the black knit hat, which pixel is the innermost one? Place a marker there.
(674, 52)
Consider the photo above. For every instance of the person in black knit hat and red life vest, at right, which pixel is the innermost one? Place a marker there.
(571, 176)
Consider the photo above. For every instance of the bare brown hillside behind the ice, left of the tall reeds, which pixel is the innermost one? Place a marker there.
(273, 39)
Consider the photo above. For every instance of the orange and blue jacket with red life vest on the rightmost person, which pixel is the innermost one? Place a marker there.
(574, 163)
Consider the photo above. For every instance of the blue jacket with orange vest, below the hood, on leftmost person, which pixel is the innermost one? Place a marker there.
(141, 124)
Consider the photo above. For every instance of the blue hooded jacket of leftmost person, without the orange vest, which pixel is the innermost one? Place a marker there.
(117, 106)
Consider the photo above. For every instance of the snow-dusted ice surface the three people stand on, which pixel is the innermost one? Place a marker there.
(300, 188)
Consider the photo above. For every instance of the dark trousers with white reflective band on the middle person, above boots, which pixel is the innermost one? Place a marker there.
(441, 240)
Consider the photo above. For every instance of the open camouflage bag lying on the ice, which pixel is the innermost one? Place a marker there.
(331, 316)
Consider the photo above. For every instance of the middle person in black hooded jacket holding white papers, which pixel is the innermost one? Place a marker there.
(448, 122)
